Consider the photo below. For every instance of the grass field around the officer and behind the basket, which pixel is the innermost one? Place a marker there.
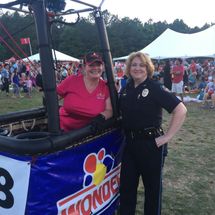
(189, 171)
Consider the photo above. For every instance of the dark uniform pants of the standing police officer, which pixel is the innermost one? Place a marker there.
(143, 158)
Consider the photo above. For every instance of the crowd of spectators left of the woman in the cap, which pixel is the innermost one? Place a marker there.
(19, 78)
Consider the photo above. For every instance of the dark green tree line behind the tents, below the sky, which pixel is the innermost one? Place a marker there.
(125, 34)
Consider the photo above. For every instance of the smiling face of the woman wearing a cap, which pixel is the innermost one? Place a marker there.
(94, 70)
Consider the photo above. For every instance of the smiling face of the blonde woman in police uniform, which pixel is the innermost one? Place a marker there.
(138, 70)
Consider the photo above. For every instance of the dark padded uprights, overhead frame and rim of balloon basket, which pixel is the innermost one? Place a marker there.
(59, 140)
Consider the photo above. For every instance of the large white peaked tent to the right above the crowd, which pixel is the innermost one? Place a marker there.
(172, 44)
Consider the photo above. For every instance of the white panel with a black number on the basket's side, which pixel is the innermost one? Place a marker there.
(14, 181)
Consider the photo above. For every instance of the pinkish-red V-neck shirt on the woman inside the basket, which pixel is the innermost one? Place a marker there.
(80, 106)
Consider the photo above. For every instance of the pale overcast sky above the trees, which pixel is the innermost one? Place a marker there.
(193, 12)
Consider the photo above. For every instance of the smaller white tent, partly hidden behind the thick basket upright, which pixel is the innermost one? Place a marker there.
(59, 55)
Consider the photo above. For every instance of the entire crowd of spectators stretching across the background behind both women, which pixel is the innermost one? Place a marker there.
(194, 77)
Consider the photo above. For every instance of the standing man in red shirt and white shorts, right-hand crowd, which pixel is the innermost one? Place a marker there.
(177, 73)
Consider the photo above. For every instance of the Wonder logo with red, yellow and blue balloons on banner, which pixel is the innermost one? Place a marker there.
(100, 187)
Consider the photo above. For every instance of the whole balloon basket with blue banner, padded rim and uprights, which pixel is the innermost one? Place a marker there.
(34, 138)
